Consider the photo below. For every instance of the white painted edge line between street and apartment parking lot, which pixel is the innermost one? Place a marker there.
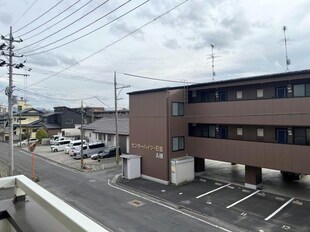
(169, 207)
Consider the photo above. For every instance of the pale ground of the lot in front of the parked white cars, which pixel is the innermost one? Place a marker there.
(66, 160)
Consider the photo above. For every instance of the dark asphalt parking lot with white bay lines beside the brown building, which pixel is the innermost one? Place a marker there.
(253, 210)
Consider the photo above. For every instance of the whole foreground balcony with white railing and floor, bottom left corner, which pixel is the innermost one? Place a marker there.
(39, 211)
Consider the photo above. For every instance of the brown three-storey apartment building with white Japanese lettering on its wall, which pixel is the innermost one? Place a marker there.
(260, 122)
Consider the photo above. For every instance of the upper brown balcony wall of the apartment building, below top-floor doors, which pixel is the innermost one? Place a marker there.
(284, 111)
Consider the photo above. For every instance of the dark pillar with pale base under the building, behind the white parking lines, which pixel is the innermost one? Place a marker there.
(253, 177)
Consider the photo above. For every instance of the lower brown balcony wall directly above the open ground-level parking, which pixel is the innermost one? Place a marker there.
(286, 157)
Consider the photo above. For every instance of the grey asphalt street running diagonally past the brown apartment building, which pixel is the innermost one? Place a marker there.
(110, 206)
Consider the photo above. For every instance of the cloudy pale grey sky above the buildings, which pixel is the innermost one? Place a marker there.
(247, 36)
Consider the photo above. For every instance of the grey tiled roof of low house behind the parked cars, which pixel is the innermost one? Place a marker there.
(107, 125)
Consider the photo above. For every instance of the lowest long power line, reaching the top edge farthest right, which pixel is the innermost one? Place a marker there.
(111, 44)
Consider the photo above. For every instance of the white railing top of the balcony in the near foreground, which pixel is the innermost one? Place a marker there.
(61, 211)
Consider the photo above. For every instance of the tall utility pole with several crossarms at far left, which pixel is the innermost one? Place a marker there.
(9, 92)
